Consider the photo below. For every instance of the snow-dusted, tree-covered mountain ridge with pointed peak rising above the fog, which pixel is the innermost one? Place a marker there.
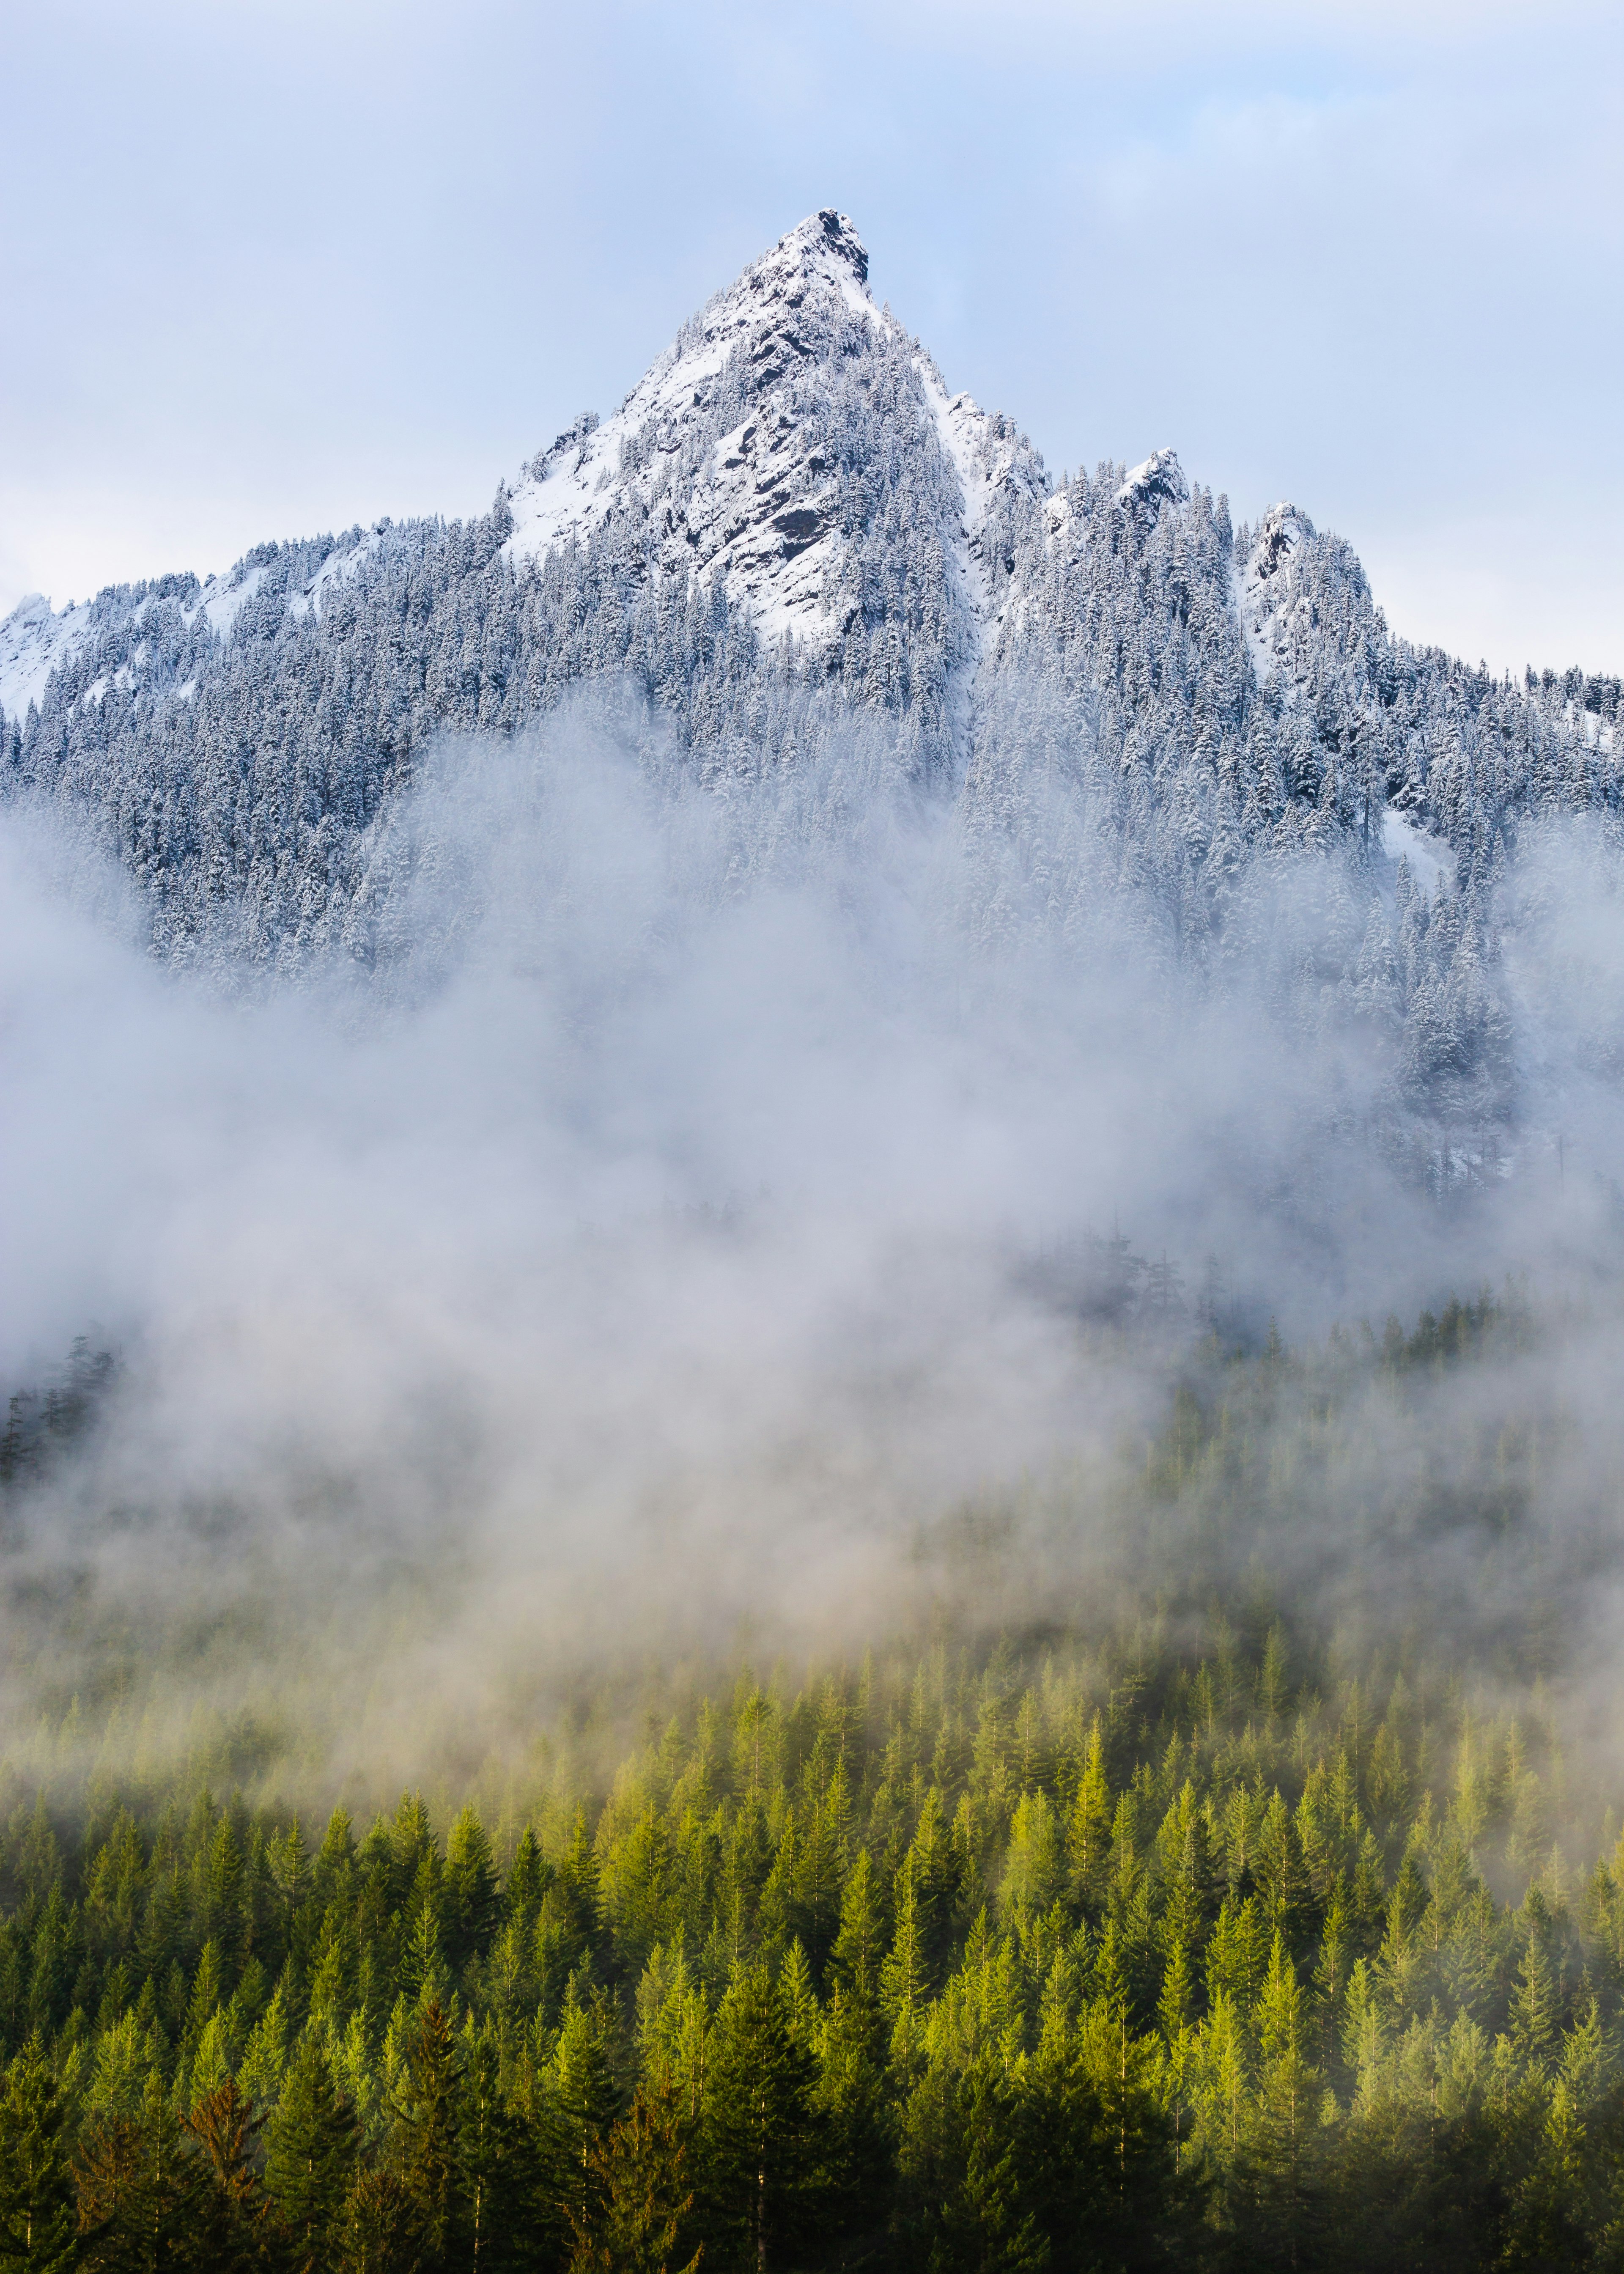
(788, 533)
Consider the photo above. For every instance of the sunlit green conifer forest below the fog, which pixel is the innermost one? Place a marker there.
(1184, 1927)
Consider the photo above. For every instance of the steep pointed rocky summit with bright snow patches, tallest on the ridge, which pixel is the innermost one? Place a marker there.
(734, 460)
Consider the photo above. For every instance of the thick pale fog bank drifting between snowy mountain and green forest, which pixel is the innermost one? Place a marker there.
(697, 1206)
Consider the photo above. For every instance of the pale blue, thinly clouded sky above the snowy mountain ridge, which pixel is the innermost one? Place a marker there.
(283, 267)
